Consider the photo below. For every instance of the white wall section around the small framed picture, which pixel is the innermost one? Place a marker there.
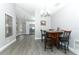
(38, 26)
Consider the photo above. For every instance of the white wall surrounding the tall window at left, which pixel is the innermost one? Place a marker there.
(10, 10)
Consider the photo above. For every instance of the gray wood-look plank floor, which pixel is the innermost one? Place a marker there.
(27, 45)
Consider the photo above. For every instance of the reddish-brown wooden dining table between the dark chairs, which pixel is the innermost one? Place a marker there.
(55, 36)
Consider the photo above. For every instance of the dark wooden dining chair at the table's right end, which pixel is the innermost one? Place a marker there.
(64, 41)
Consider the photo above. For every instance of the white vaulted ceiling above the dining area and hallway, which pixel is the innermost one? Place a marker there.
(28, 9)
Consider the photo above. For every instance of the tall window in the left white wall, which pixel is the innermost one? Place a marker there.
(8, 25)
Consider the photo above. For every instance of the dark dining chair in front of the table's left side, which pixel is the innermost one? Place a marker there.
(48, 42)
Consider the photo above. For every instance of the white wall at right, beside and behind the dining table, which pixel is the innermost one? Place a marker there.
(68, 18)
